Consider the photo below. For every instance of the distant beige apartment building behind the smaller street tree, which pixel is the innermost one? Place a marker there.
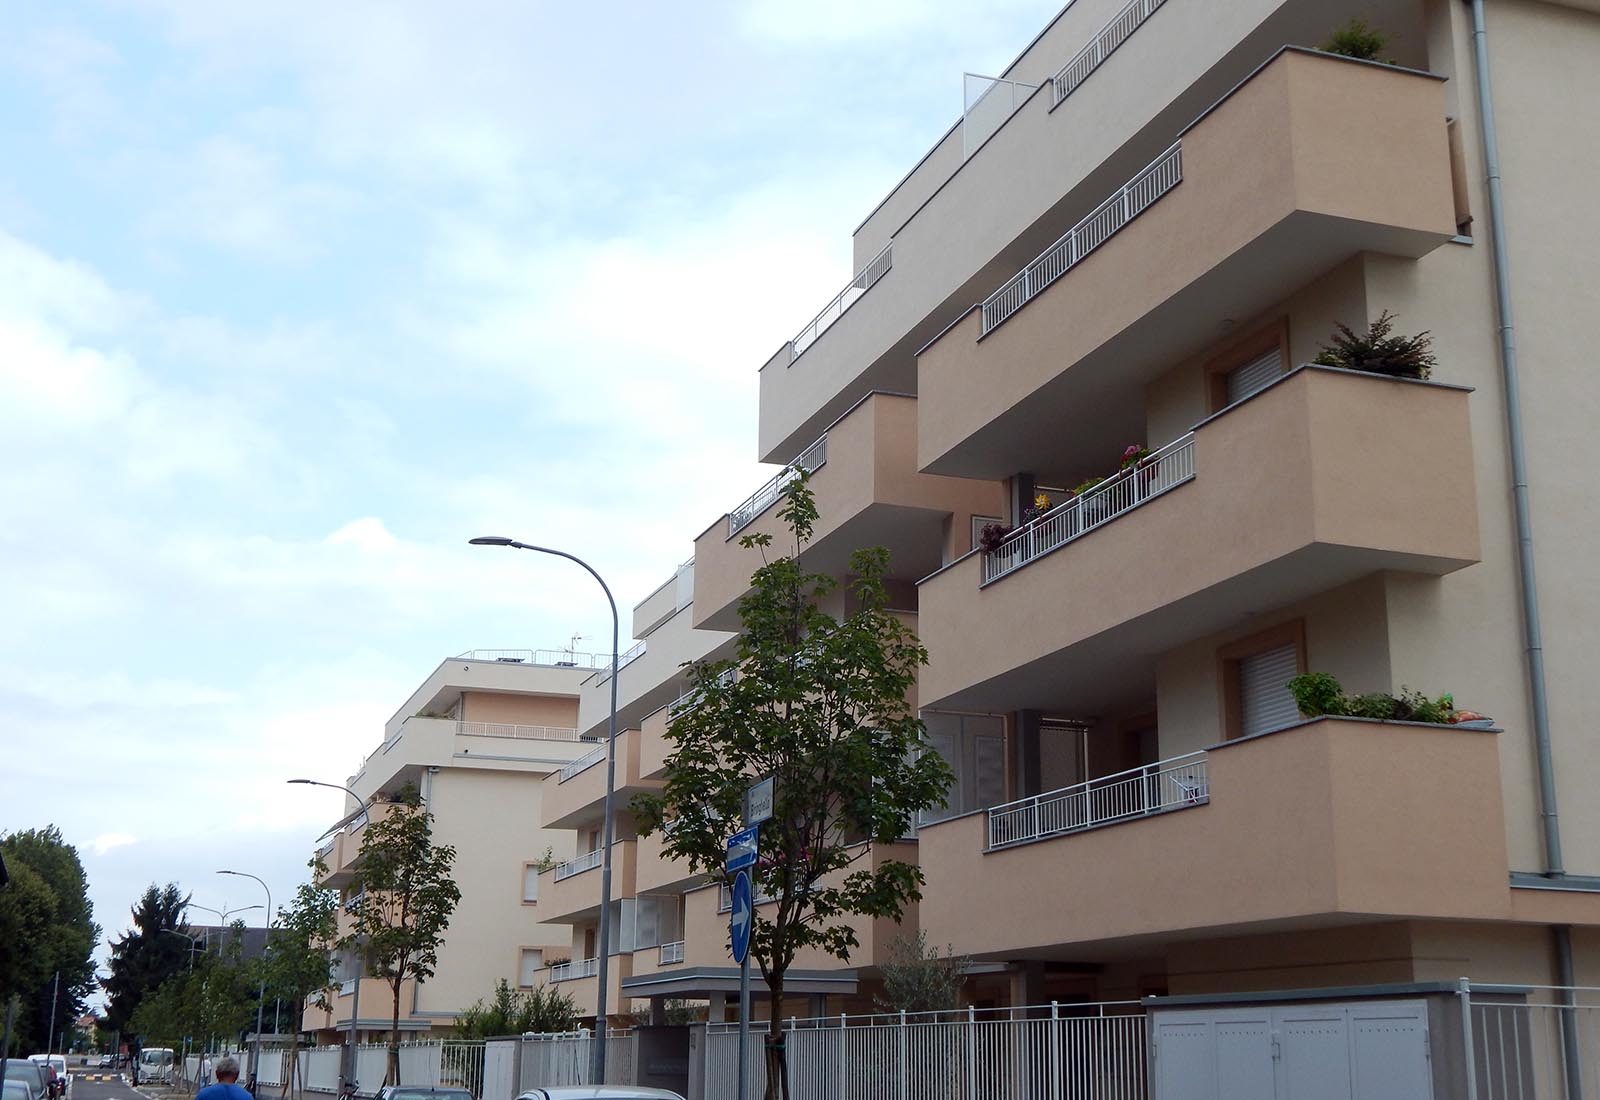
(478, 739)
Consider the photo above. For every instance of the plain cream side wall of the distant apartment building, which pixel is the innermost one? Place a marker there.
(494, 821)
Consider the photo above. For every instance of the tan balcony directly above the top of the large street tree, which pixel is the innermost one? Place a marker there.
(868, 493)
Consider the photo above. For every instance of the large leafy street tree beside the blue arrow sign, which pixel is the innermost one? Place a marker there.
(820, 704)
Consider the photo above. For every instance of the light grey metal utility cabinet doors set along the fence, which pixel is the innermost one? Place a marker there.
(1342, 1051)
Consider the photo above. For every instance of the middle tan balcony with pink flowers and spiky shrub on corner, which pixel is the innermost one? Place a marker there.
(1318, 480)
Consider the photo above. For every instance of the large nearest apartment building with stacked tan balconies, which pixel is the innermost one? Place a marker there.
(1140, 236)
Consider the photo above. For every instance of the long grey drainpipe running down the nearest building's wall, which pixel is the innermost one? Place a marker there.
(1519, 464)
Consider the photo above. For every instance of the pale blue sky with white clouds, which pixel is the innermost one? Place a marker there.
(295, 298)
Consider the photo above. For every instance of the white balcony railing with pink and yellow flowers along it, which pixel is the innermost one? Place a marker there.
(1162, 471)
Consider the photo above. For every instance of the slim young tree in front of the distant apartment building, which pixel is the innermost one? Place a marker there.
(402, 903)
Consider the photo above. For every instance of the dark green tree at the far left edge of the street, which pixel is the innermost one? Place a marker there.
(52, 919)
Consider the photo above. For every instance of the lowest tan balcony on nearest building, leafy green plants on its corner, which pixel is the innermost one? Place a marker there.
(1298, 827)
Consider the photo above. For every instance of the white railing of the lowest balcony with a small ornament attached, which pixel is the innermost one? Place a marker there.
(1140, 792)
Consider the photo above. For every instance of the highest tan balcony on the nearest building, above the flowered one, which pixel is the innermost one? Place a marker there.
(1260, 196)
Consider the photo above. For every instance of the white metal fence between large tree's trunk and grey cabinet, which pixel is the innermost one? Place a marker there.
(1049, 1053)
